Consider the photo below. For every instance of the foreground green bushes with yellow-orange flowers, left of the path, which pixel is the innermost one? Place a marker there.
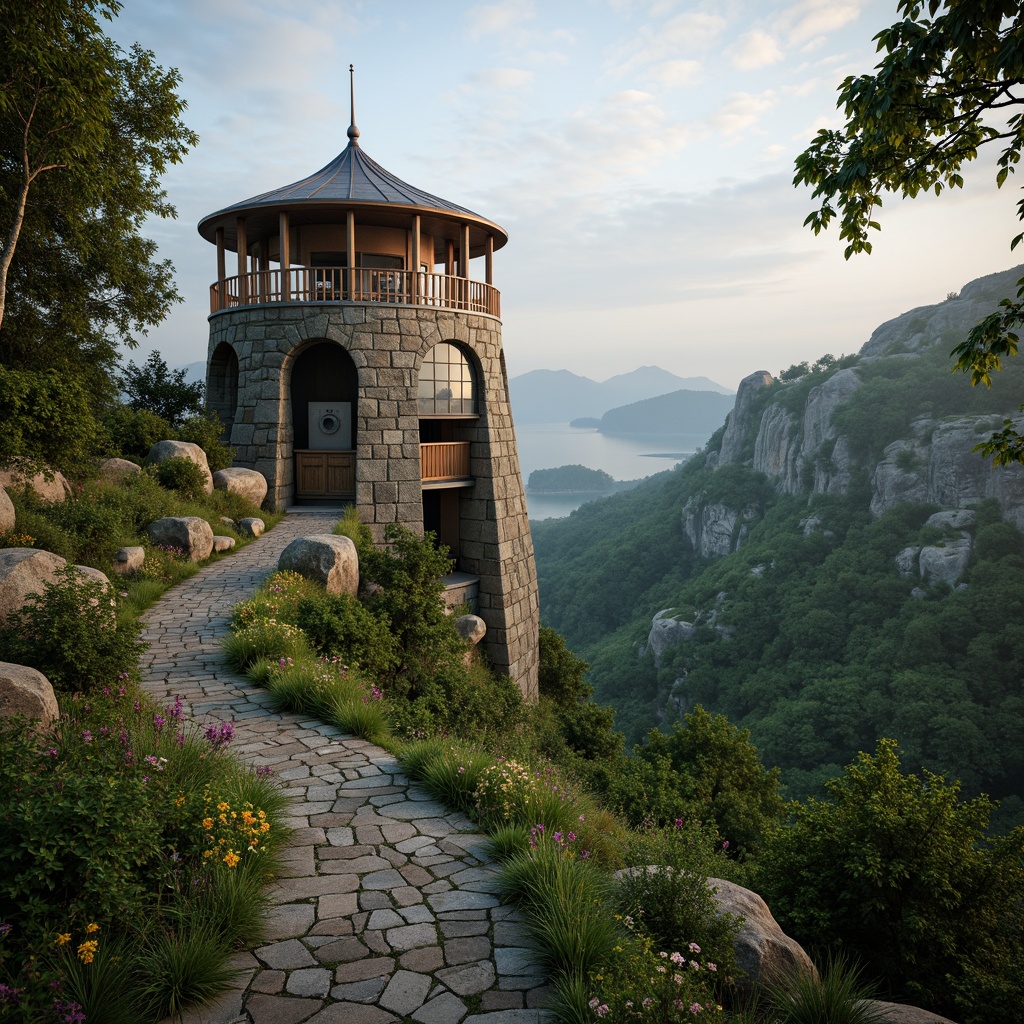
(136, 852)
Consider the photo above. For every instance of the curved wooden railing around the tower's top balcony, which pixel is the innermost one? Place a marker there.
(331, 284)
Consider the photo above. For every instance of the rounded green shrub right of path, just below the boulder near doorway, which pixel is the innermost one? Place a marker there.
(338, 625)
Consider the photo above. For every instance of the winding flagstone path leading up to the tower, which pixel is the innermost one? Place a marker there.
(386, 910)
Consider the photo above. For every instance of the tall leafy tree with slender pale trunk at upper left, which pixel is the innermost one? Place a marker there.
(87, 132)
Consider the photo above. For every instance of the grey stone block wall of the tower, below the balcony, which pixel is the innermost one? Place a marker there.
(388, 345)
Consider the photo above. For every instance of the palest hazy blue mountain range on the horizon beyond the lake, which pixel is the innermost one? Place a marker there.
(559, 396)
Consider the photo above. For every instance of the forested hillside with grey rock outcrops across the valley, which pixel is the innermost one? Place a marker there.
(834, 568)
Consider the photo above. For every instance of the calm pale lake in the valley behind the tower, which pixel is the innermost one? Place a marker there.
(547, 446)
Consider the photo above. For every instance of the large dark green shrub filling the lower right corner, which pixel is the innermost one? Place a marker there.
(900, 872)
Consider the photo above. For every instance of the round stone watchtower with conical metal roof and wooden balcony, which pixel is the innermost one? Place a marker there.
(354, 361)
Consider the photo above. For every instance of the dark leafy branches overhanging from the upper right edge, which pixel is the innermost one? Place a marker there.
(952, 81)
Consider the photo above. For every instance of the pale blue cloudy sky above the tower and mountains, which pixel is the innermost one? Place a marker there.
(639, 153)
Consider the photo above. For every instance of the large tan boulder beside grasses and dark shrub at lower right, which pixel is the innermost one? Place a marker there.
(764, 953)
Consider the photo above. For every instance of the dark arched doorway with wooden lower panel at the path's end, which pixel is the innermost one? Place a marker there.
(325, 398)
